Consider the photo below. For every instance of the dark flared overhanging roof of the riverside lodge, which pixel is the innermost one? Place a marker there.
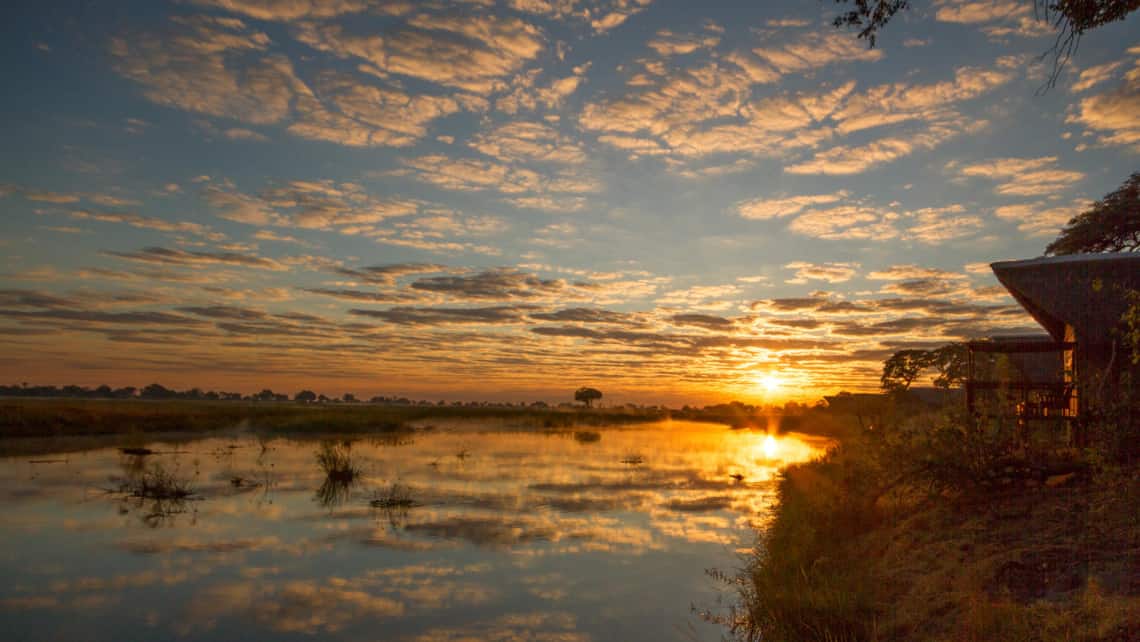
(1086, 291)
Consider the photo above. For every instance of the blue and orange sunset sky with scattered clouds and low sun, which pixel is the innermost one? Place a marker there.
(669, 201)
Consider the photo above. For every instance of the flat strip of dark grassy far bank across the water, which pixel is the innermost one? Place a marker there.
(56, 418)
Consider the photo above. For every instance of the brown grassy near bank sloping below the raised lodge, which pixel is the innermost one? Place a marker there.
(935, 532)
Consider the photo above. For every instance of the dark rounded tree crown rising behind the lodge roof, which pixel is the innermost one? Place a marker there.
(1111, 225)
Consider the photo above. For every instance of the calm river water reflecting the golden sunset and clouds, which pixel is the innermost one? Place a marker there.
(591, 535)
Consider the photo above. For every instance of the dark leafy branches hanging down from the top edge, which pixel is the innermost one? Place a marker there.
(1071, 19)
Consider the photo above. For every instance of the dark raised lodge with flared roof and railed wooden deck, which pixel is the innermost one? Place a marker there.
(1079, 299)
